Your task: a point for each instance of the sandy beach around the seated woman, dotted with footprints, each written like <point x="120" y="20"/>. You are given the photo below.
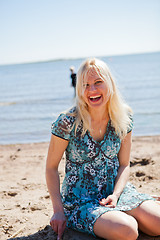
<point x="25" y="203"/>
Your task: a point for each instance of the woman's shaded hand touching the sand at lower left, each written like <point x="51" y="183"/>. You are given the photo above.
<point x="58" y="223"/>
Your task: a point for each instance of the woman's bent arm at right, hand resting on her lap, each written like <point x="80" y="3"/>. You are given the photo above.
<point x="123" y="172"/>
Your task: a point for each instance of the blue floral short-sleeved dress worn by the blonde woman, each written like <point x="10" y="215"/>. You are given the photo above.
<point x="90" y="172"/>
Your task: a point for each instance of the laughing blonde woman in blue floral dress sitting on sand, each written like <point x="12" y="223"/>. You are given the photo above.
<point x="96" y="137"/>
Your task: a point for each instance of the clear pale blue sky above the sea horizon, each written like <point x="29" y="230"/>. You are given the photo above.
<point x="37" y="30"/>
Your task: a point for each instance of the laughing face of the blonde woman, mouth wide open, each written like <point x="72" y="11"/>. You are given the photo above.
<point x="96" y="93"/>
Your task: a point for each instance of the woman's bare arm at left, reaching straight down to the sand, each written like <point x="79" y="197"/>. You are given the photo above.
<point x="55" y="152"/>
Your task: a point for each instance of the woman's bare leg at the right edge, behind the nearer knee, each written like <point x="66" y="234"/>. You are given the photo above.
<point x="148" y="217"/>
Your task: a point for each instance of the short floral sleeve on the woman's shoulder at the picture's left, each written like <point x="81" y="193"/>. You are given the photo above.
<point x="62" y="126"/>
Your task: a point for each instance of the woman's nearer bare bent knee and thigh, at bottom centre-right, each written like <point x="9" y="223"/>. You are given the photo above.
<point x="116" y="225"/>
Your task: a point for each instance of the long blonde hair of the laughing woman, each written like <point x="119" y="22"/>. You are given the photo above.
<point x="119" y="111"/>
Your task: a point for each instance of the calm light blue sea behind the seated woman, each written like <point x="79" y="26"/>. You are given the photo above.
<point x="33" y="94"/>
